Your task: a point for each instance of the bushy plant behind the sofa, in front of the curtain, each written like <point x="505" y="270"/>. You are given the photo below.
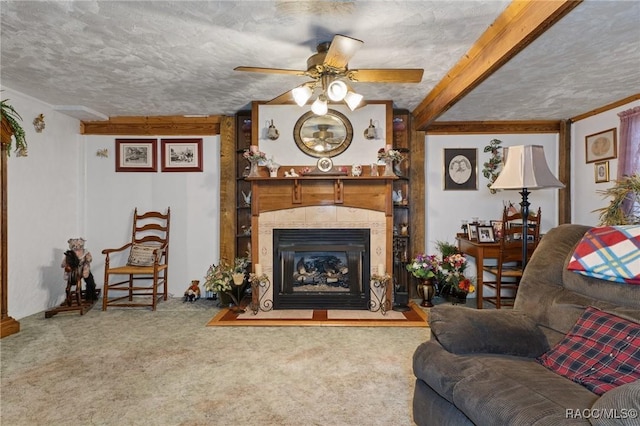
<point x="623" y="208"/>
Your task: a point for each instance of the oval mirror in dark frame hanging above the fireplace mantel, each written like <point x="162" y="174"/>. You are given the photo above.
<point x="323" y="135"/>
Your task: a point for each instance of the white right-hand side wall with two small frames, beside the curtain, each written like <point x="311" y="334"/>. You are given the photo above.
<point x="585" y="197"/>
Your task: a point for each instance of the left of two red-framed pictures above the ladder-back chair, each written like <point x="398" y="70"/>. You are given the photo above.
<point x="136" y="155"/>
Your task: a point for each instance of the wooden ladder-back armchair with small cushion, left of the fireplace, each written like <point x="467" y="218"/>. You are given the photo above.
<point x="147" y="268"/>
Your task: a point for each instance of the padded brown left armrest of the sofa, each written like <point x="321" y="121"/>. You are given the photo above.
<point x="466" y="331"/>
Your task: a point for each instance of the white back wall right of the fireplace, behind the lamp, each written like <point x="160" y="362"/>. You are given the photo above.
<point x="445" y="210"/>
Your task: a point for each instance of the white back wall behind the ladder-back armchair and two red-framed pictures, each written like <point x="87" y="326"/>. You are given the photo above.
<point x="110" y="199"/>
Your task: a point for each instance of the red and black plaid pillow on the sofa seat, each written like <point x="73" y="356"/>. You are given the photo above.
<point x="601" y="352"/>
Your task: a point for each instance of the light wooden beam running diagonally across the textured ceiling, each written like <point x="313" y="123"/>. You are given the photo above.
<point x="518" y="25"/>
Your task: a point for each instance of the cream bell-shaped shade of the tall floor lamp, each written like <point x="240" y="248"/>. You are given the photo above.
<point x="526" y="167"/>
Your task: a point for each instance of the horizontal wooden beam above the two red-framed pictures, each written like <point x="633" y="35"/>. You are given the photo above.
<point x="168" y="125"/>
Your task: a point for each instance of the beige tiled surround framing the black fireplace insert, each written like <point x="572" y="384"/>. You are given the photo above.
<point x="326" y="217"/>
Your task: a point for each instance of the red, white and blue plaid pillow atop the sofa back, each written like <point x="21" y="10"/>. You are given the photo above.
<point x="610" y="253"/>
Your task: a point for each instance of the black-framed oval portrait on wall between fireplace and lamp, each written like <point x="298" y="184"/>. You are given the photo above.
<point x="460" y="169"/>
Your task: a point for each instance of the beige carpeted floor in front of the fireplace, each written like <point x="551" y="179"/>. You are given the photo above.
<point x="137" y="367"/>
